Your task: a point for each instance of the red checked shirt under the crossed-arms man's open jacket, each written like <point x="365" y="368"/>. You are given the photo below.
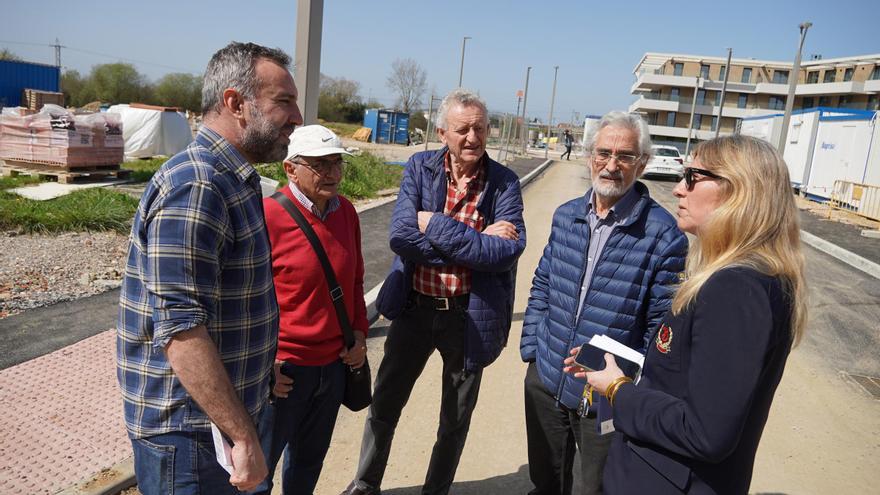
<point x="454" y="280"/>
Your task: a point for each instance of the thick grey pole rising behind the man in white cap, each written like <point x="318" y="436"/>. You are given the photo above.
<point x="309" y="22"/>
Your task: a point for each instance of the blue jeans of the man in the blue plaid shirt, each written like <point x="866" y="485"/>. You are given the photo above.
<point x="179" y="463"/>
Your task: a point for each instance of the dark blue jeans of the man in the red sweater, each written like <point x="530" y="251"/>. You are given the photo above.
<point x="301" y="426"/>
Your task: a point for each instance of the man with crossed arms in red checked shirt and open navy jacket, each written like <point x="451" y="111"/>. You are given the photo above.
<point x="458" y="231"/>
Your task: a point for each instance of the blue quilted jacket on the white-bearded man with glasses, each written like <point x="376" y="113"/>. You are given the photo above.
<point x="631" y="290"/>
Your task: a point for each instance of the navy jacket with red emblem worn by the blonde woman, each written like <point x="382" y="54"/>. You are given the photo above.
<point x="693" y="422"/>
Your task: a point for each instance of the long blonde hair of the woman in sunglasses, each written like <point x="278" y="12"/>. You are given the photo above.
<point x="756" y="225"/>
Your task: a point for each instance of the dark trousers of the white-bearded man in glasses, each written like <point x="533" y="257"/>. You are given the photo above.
<point x="553" y="433"/>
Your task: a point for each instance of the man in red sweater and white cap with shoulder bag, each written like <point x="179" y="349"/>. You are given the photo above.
<point x="311" y="360"/>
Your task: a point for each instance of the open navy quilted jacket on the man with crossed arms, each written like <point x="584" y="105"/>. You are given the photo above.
<point x="447" y="241"/>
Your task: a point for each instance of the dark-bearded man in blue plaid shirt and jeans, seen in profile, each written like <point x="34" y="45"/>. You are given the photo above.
<point x="198" y="319"/>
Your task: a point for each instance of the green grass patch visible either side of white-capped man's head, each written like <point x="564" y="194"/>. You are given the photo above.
<point x="365" y="175"/>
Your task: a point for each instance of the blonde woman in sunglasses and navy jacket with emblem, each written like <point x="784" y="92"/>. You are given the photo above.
<point x="693" y="422"/>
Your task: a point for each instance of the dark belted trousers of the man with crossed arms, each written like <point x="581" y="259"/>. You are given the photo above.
<point x="412" y="338"/>
